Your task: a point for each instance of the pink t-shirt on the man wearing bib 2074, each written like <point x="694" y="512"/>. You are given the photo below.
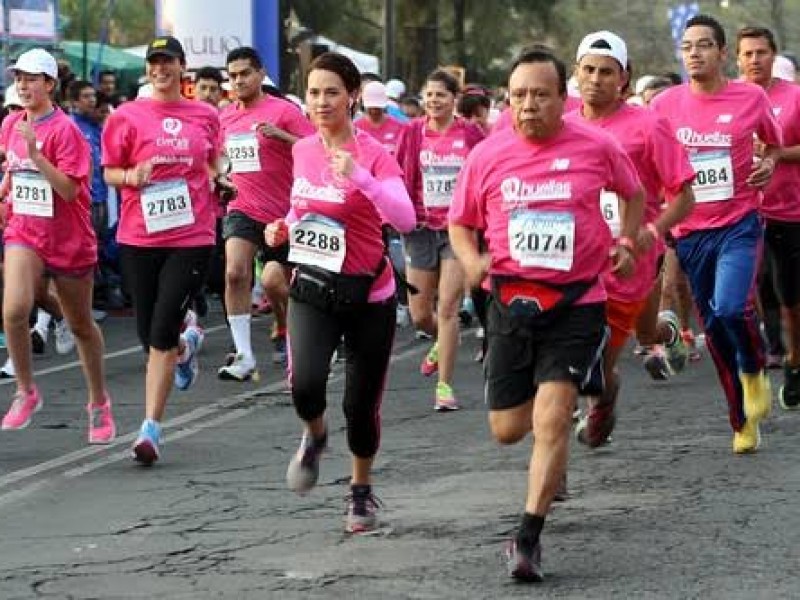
<point x="539" y="203"/>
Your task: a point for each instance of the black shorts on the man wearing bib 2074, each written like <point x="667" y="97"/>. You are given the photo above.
<point x="520" y="356"/>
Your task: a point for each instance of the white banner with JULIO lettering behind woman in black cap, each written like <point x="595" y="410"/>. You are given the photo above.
<point x="208" y="29"/>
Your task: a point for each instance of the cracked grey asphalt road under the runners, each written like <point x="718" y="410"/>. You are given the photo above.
<point x="665" y="511"/>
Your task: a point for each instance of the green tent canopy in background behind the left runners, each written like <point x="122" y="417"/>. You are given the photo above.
<point x="127" y="66"/>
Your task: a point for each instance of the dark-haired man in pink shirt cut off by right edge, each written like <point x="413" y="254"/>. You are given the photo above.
<point x="756" y="51"/>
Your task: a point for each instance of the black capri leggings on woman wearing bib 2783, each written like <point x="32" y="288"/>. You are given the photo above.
<point x="162" y="283"/>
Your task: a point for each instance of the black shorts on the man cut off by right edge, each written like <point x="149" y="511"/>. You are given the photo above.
<point x="783" y="240"/>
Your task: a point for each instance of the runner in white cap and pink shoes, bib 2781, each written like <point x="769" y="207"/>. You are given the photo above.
<point x="49" y="234"/>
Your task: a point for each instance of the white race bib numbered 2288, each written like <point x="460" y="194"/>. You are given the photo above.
<point x="318" y="241"/>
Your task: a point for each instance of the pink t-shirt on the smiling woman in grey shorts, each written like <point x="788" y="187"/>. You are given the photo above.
<point x="440" y="158"/>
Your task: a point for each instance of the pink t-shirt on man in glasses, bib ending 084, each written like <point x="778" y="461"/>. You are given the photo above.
<point x="717" y="131"/>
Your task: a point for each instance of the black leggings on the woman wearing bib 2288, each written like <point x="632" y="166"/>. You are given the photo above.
<point x="368" y="336"/>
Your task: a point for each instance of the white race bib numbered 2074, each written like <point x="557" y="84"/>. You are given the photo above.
<point x="542" y="239"/>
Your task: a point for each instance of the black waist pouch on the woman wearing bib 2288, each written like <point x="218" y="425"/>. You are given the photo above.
<point x="328" y="291"/>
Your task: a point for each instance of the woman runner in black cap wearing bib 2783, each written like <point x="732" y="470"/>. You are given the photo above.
<point x="160" y="151"/>
